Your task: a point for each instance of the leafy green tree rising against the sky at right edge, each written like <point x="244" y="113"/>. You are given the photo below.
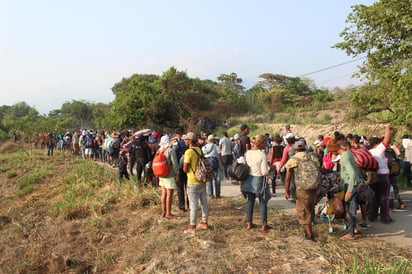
<point x="382" y="31"/>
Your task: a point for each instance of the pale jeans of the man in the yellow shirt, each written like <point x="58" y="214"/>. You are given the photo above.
<point x="196" y="193"/>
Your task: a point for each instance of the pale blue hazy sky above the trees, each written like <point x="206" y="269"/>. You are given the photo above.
<point x="53" y="51"/>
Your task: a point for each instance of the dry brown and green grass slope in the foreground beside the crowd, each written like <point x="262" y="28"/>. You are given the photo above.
<point x="116" y="228"/>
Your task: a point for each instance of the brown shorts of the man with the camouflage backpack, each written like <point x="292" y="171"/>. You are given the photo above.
<point x="305" y="206"/>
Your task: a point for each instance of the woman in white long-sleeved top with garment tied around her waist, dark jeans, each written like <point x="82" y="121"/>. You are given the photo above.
<point x="255" y="185"/>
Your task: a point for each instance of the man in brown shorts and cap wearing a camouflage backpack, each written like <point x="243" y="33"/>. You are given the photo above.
<point x="307" y="178"/>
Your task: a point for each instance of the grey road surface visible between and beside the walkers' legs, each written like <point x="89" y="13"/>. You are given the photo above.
<point x="399" y="232"/>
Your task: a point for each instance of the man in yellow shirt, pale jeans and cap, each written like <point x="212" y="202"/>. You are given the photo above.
<point x="196" y="190"/>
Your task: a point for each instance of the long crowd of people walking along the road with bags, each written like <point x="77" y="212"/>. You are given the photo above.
<point x="269" y="158"/>
